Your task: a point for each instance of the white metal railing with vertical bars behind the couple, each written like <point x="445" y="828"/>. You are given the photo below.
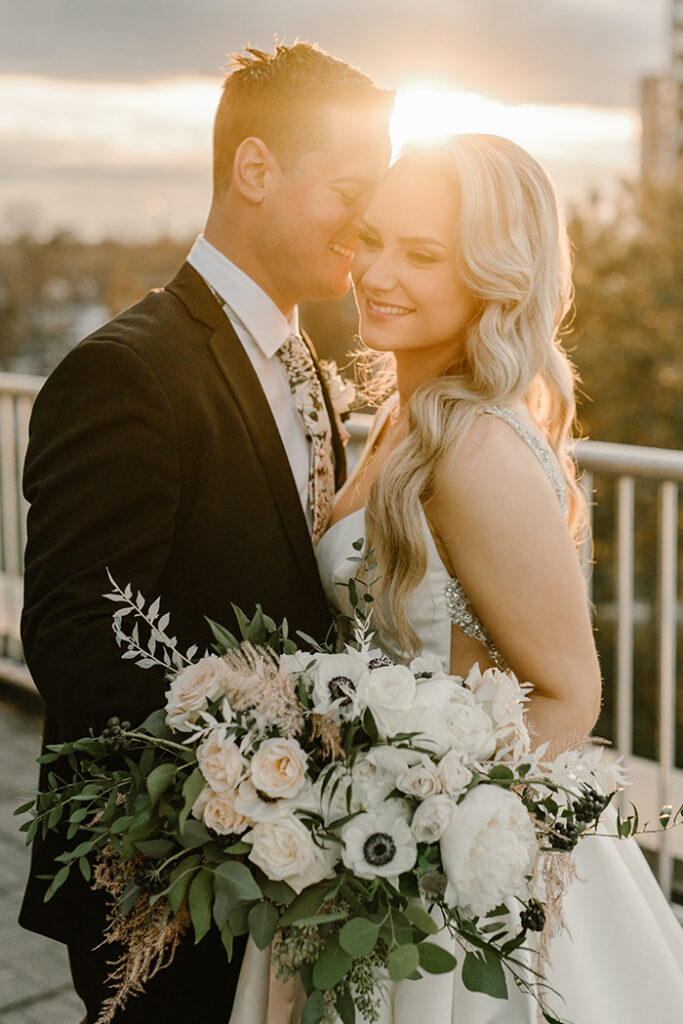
<point x="655" y="784"/>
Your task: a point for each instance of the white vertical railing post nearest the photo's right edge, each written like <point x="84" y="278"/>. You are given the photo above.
<point x="667" y="615"/>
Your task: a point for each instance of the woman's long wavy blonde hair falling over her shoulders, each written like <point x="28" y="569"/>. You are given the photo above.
<point x="514" y="257"/>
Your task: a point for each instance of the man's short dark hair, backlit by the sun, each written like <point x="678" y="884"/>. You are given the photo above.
<point x="278" y="98"/>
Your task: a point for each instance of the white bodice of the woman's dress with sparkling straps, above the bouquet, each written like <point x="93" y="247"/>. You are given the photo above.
<point x="440" y="600"/>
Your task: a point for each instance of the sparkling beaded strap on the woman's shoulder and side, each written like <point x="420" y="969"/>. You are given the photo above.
<point x="461" y="612"/>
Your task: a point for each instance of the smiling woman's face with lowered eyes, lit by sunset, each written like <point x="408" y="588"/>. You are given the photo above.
<point x="408" y="288"/>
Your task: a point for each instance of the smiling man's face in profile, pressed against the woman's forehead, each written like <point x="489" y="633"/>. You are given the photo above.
<point x="315" y="205"/>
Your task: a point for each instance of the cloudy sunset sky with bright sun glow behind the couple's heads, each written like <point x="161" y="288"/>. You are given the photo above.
<point x="106" y="106"/>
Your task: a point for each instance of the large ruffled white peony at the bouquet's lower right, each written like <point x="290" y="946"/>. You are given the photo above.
<point x="488" y="850"/>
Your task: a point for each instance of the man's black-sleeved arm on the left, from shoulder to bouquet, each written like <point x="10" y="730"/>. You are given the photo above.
<point x="103" y="480"/>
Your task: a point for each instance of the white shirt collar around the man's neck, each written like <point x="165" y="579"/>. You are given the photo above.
<point x="247" y="301"/>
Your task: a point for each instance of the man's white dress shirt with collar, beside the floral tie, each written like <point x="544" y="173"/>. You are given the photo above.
<point x="263" y="329"/>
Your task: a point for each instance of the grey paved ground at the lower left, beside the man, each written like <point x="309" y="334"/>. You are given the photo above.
<point x="35" y="984"/>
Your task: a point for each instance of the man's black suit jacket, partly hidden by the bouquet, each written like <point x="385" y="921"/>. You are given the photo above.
<point x="153" y="452"/>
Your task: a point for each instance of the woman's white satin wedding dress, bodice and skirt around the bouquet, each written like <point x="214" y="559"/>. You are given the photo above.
<point x="620" y="961"/>
